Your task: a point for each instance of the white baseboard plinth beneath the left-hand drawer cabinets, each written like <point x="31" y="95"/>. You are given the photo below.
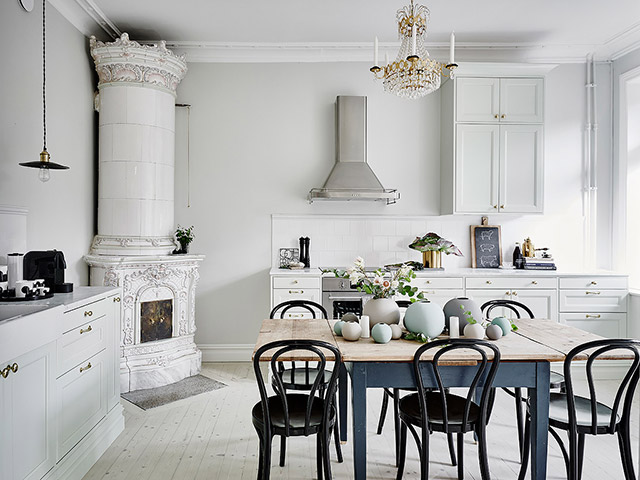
<point x="75" y="464"/>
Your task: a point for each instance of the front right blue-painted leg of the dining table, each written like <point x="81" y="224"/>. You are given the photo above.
<point x="540" y="422"/>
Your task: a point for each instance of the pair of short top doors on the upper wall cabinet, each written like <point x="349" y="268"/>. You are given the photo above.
<point x="499" y="100"/>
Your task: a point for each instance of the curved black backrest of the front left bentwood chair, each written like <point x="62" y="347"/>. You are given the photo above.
<point x="312" y="350"/>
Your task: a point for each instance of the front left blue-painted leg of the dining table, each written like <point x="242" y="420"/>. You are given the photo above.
<point x="359" y="413"/>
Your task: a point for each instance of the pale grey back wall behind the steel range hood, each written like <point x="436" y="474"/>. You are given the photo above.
<point x="262" y="135"/>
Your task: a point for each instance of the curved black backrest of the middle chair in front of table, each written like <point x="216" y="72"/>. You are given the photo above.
<point x="485" y="372"/>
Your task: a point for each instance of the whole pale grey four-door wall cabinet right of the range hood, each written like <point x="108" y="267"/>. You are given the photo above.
<point x="492" y="145"/>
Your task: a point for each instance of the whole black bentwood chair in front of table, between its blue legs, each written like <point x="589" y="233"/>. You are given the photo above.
<point x="441" y="411"/>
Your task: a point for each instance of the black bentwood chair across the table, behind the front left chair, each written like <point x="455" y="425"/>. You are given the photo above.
<point x="302" y="378"/>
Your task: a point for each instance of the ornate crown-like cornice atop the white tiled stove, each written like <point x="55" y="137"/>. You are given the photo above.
<point x="126" y="61"/>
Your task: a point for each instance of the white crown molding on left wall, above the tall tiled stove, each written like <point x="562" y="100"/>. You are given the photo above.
<point x="87" y="17"/>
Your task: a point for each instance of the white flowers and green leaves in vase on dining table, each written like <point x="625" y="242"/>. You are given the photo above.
<point x="382" y="283"/>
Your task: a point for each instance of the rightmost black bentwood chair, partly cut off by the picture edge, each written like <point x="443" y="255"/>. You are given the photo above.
<point x="585" y="415"/>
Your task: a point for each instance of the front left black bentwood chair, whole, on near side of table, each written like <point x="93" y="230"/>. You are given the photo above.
<point x="296" y="414"/>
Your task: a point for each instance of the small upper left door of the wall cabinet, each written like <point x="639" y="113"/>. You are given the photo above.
<point x="477" y="100"/>
